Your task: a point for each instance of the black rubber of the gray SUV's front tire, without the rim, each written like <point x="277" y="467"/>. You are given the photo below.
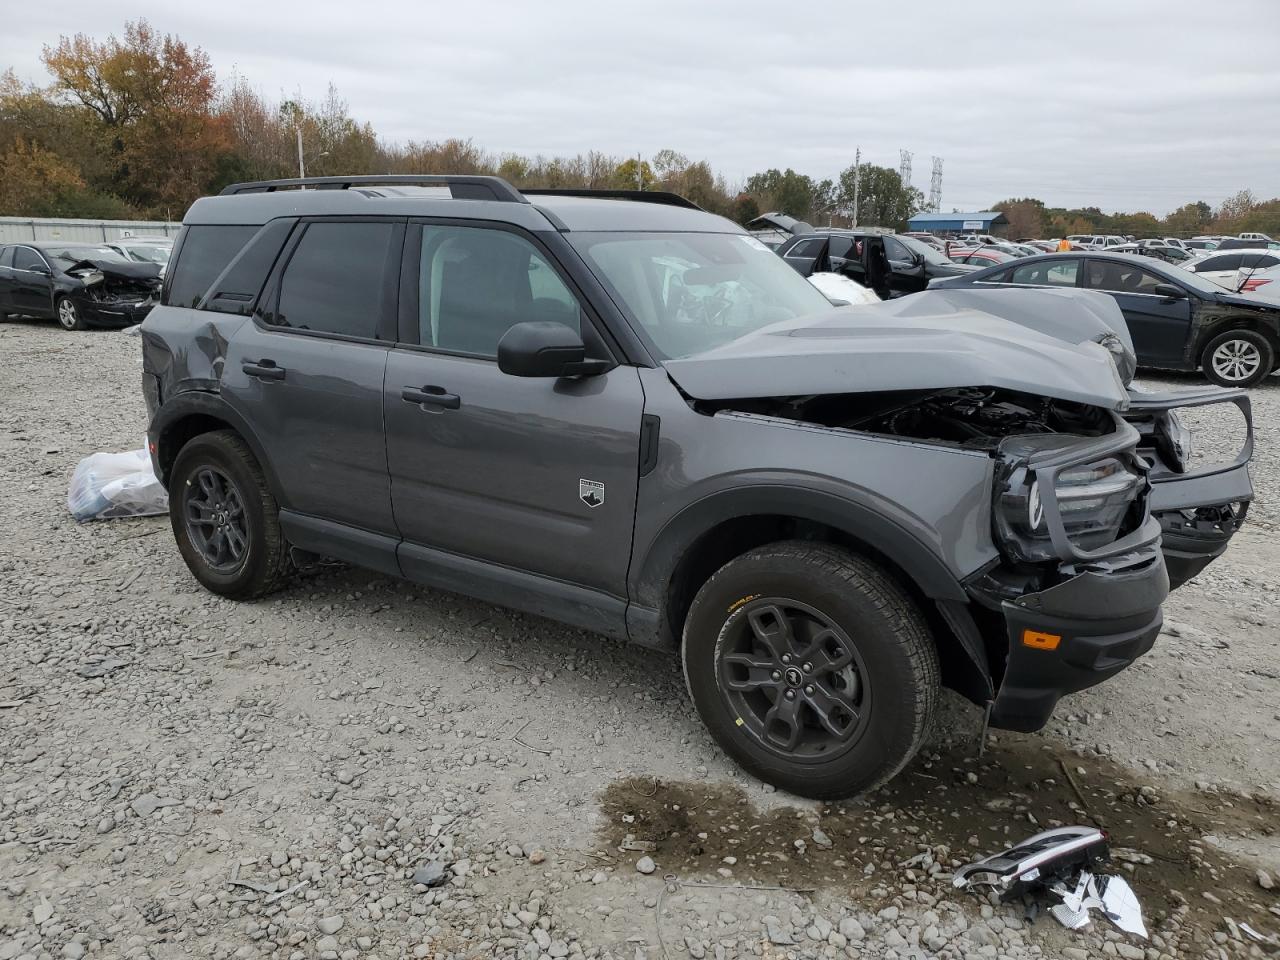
<point x="895" y="697"/>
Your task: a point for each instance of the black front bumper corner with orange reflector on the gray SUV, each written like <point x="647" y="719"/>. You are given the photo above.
<point x="1105" y="623"/>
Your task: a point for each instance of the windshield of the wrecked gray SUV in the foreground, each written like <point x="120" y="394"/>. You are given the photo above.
<point x="693" y="292"/>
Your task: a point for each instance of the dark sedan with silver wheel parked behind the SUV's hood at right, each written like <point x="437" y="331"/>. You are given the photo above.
<point x="1178" y="321"/>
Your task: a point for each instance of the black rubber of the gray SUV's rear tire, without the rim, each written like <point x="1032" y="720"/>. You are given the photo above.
<point x="211" y="451"/>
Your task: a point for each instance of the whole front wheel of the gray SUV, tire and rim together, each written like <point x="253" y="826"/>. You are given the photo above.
<point x="886" y="693"/>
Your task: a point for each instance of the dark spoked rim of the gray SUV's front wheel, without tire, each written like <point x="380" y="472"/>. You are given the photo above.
<point x="794" y="680"/>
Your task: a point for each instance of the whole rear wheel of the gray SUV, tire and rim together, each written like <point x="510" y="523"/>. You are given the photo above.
<point x="218" y="499"/>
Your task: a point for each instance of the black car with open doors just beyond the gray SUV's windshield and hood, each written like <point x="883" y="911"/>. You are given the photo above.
<point x="890" y="264"/>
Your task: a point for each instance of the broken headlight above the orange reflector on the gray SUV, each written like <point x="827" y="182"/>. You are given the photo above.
<point x="1094" y="502"/>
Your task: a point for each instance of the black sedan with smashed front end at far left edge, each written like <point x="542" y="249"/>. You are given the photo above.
<point x="79" y="285"/>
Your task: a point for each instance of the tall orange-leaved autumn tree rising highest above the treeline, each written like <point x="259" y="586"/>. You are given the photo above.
<point x="150" y="100"/>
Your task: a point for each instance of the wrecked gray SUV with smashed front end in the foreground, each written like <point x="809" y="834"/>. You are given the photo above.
<point x="629" y="415"/>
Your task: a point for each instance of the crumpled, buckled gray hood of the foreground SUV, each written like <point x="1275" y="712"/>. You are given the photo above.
<point x="916" y="344"/>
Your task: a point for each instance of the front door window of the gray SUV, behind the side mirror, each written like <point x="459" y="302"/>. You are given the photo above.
<point x="476" y="284"/>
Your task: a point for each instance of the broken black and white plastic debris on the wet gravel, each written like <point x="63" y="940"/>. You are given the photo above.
<point x="1064" y="866"/>
